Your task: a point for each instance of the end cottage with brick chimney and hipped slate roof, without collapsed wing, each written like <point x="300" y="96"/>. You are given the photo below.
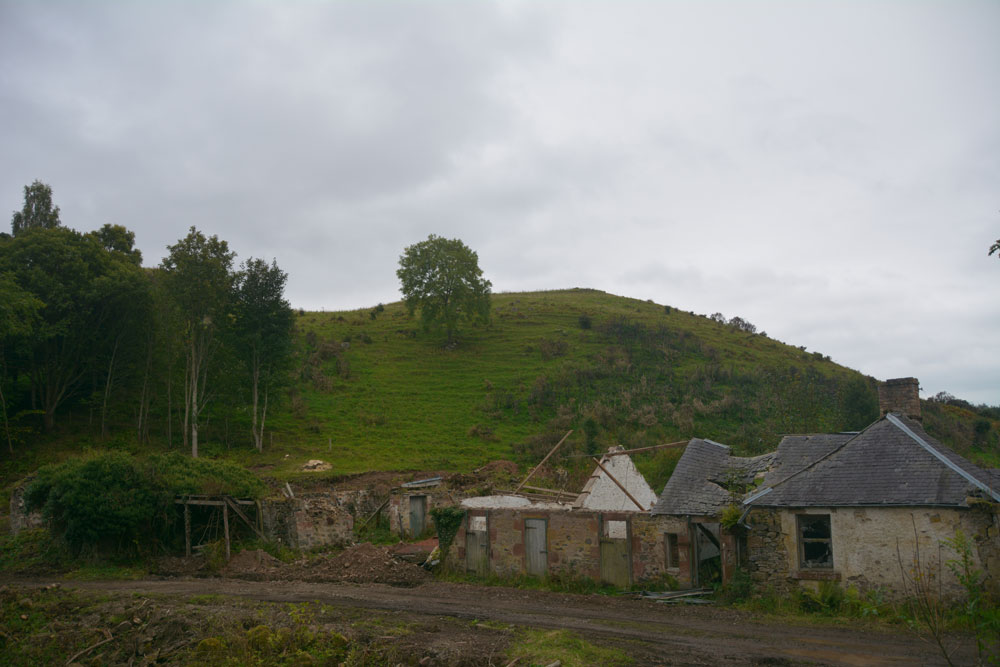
<point x="873" y="508"/>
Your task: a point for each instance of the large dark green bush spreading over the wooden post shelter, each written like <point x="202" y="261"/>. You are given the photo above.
<point x="118" y="503"/>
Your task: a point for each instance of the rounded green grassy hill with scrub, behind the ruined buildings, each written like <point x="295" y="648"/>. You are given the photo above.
<point x="374" y="392"/>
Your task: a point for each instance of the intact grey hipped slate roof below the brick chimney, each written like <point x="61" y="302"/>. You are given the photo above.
<point x="893" y="462"/>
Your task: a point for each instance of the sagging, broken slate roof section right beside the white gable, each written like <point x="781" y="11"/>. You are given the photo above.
<point x="696" y="486"/>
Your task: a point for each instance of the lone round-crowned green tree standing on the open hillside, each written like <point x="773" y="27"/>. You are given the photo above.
<point x="441" y="277"/>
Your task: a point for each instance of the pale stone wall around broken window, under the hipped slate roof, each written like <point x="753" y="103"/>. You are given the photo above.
<point x="865" y="543"/>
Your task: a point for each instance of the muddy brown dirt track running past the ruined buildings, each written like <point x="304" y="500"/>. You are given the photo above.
<point x="653" y="633"/>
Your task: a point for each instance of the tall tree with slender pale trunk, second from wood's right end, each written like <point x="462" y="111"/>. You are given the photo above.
<point x="199" y="280"/>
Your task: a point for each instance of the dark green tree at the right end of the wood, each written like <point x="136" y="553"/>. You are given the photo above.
<point x="263" y="325"/>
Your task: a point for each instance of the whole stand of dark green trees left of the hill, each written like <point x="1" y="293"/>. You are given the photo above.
<point x="84" y="325"/>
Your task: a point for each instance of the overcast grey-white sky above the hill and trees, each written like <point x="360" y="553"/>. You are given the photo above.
<point x="827" y="171"/>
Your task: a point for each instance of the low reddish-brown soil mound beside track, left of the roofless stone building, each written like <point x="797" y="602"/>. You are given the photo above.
<point x="363" y="563"/>
